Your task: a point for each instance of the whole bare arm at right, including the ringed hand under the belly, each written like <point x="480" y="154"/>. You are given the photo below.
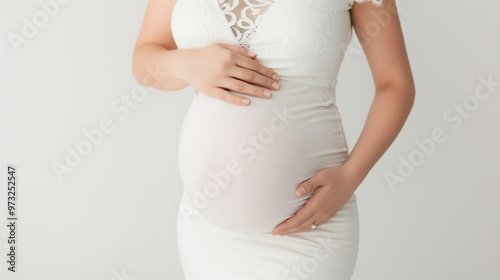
<point x="394" y="96"/>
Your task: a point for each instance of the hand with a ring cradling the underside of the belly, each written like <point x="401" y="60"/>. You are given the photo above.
<point x="332" y="186"/>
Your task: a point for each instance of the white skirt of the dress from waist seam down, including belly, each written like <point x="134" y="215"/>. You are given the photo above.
<point x="240" y="166"/>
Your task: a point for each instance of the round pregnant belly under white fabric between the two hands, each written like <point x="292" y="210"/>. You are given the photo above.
<point x="240" y="165"/>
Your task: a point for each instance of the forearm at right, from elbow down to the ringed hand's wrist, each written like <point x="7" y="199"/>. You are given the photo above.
<point x="388" y="113"/>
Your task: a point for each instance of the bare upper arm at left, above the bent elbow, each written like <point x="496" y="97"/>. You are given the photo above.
<point x="156" y="27"/>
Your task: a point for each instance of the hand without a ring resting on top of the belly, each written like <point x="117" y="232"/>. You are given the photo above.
<point x="220" y="66"/>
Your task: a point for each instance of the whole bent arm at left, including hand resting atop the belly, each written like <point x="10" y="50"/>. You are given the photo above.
<point x="210" y="70"/>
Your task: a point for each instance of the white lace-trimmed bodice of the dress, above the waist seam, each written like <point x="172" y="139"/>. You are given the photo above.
<point x="302" y="40"/>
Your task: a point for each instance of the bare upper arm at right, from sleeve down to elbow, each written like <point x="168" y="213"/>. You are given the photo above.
<point x="379" y="32"/>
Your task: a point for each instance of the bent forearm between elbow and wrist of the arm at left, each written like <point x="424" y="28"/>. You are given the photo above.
<point x="158" y="67"/>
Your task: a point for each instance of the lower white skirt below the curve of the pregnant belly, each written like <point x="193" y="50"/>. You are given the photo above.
<point x="209" y="252"/>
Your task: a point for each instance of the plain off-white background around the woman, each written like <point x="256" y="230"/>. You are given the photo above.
<point x="114" y="216"/>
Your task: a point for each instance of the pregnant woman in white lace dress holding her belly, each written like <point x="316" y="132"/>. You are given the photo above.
<point x="268" y="180"/>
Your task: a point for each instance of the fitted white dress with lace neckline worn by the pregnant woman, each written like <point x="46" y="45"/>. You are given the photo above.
<point x="240" y="165"/>
